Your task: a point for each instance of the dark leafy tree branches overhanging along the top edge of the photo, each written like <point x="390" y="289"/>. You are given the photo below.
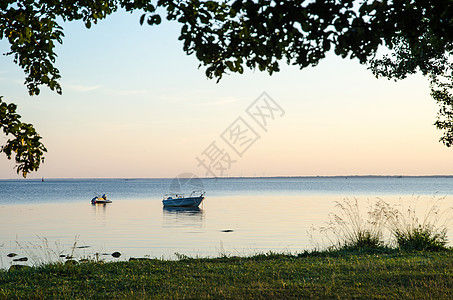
<point x="229" y="36"/>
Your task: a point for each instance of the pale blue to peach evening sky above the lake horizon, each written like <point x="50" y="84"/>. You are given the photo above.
<point x="134" y="105"/>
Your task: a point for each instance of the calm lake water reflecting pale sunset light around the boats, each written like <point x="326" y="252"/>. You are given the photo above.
<point x="240" y="216"/>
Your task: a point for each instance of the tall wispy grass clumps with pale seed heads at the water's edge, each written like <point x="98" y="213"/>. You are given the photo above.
<point x="353" y="228"/>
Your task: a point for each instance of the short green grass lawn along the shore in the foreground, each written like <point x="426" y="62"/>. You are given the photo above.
<point x="323" y="275"/>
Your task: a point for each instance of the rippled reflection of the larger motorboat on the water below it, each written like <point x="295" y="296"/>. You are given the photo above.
<point x="183" y="217"/>
